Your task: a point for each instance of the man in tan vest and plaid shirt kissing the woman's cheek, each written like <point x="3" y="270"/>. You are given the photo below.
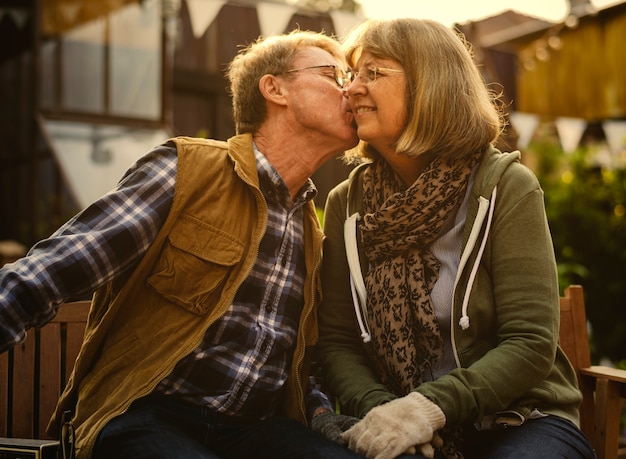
<point x="204" y="261"/>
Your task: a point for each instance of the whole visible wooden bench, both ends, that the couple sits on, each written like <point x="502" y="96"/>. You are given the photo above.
<point x="33" y="374"/>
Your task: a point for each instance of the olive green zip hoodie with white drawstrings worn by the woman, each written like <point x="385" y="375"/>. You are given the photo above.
<point x="504" y="325"/>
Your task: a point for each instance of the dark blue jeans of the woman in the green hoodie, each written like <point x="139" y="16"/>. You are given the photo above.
<point x="544" y="438"/>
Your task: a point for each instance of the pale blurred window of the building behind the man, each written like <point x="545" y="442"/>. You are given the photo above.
<point x="102" y="58"/>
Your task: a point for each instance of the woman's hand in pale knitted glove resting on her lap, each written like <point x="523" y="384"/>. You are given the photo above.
<point x="403" y="425"/>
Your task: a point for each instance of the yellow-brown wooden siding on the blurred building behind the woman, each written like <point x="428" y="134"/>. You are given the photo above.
<point x="585" y="78"/>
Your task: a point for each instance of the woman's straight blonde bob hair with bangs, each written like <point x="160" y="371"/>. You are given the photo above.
<point x="450" y="109"/>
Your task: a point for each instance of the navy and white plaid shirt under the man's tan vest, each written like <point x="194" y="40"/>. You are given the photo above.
<point x="242" y="362"/>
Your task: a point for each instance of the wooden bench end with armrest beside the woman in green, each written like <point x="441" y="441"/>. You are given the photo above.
<point x="603" y="388"/>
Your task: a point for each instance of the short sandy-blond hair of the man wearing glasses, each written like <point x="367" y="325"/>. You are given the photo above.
<point x="272" y="55"/>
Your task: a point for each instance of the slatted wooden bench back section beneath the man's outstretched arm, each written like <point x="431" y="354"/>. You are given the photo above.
<point x="34" y="373"/>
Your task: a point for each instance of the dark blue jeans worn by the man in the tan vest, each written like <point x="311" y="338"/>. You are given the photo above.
<point x="158" y="427"/>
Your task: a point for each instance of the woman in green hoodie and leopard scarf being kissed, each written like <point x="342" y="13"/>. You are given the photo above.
<point x="439" y="321"/>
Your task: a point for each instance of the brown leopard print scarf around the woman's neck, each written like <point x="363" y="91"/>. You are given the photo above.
<point x="397" y="229"/>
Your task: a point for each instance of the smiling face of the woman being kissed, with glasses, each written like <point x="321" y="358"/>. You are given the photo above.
<point x="378" y="101"/>
